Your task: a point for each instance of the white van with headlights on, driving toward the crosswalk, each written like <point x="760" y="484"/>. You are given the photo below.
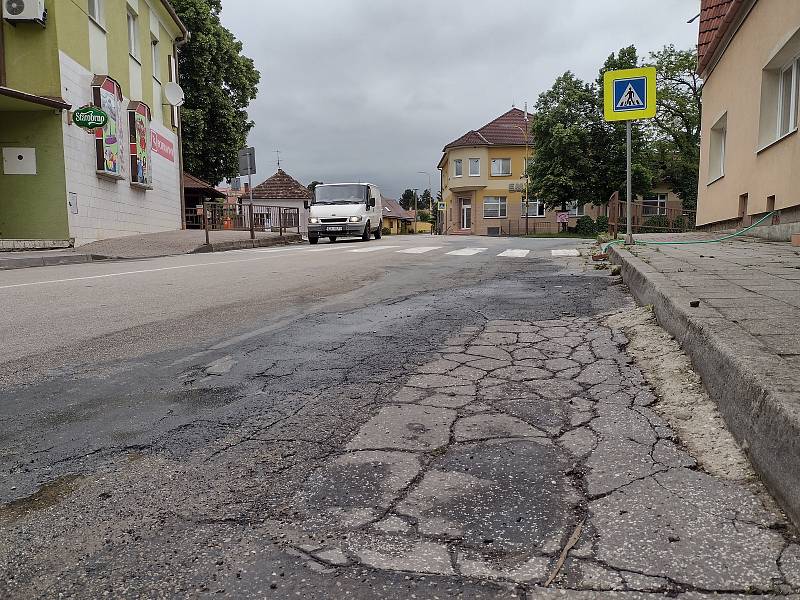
<point x="345" y="210"/>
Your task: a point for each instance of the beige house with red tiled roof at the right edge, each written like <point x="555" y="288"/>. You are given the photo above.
<point x="749" y="57"/>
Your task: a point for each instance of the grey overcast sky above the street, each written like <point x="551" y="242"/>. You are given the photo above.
<point x="371" y="90"/>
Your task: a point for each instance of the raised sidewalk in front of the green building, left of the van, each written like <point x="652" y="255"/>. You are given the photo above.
<point x="151" y="245"/>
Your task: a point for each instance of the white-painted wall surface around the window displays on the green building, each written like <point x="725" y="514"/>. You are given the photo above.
<point x="109" y="208"/>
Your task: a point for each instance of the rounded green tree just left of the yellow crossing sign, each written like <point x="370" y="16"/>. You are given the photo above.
<point x="565" y="127"/>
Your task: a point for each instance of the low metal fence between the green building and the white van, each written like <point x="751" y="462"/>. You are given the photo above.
<point x="215" y="216"/>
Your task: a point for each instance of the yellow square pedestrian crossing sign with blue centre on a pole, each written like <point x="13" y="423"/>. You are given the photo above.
<point x="629" y="94"/>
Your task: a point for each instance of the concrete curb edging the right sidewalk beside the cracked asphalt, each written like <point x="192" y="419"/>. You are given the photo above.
<point x="754" y="389"/>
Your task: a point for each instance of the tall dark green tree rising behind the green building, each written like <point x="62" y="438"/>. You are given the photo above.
<point x="219" y="82"/>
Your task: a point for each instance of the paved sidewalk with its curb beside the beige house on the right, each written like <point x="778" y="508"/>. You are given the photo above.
<point x="735" y="308"/>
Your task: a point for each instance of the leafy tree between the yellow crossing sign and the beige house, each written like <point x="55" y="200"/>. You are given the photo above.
<point x="676" y="127"/>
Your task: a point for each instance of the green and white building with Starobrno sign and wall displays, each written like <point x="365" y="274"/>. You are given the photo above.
<point x="61" y="184"/>
